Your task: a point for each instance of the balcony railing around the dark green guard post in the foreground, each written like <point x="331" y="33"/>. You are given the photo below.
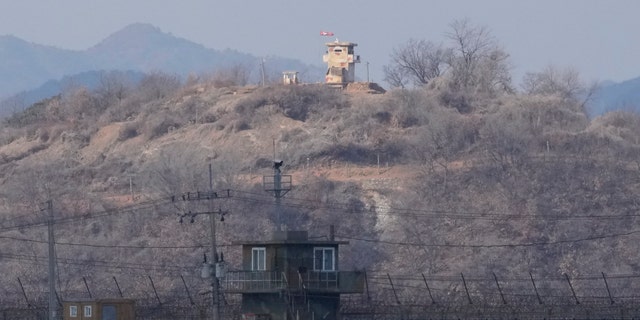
<point x="319" y="281"/>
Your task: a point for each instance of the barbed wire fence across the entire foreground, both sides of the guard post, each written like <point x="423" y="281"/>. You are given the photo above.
<point x="385" y="296"/>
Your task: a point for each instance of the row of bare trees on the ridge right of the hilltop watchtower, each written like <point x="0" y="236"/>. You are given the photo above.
<point x="471" y="62"/>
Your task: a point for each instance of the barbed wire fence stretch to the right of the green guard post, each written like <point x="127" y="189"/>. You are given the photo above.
<point x="494" y="297"/>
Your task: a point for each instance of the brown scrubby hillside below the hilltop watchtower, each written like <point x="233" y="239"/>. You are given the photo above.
<point x="514" y="183"/>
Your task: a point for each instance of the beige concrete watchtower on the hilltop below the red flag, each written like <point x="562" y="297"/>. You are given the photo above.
<point x="341" y="63"/>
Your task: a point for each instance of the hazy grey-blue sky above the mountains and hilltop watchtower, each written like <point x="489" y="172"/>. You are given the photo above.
<point x="599" y="38"/>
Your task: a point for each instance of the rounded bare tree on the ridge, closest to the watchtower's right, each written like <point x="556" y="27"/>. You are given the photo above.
<point x="417" y="60"/>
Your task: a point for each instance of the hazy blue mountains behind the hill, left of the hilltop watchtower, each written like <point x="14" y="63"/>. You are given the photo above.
<point x="136" y="48"/>
